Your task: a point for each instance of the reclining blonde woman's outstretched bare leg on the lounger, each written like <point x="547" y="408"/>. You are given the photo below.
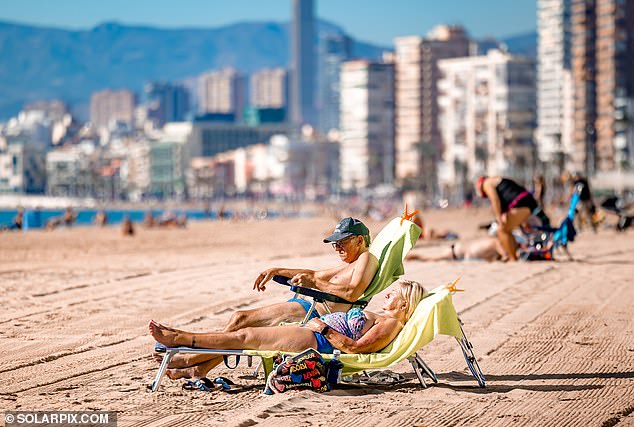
<point x="284" y="338"/>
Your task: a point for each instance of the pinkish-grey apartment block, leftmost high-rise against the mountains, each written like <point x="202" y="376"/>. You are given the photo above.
<point x="112" y="106"/>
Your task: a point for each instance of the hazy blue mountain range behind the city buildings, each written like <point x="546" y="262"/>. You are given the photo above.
<point x="45" y="63"/>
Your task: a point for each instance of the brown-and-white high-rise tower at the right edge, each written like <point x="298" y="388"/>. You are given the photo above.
<point x="603" y="74"/>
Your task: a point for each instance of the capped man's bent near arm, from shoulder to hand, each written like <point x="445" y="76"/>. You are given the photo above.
<point x="365" y="267"/>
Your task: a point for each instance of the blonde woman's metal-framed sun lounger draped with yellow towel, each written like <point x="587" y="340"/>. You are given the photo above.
<point x="434" y="315"/>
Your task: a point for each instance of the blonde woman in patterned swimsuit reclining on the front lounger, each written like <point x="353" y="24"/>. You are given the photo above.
<point x="353" y="332"/>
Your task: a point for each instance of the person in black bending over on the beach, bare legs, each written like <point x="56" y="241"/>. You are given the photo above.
<point x="512" y="205"/>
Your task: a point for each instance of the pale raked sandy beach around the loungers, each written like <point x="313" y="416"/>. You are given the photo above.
<point x="555" y="339"/>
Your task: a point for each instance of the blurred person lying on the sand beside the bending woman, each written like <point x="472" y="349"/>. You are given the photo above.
<point x="485" y="249"/>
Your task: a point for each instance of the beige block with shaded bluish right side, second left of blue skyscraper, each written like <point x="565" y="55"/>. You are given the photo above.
<point x="222" y="91"/>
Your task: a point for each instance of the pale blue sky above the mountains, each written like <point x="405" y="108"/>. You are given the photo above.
<point x="377" y="21"/>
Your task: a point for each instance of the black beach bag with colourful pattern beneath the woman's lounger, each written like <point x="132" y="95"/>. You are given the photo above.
<point x="305" y="371"/>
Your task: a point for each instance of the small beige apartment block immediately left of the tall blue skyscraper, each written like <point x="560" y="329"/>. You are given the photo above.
<point x="269" y="88"/>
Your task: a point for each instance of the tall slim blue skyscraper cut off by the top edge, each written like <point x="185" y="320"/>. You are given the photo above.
<point x="303" y="76"/>
